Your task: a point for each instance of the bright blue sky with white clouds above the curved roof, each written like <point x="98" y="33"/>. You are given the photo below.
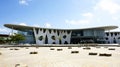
<point x="59" y="13"/>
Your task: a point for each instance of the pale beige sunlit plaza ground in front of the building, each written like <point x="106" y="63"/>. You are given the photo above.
<point x="59" y="57"/>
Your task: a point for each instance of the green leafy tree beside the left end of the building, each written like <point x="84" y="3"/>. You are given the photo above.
<point x="16" y="38"/>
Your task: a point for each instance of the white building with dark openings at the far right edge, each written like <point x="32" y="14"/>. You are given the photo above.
<point x="112" y="37"/>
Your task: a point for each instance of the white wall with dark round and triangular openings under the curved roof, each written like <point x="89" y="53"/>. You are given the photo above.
<point x="49" y="36"/>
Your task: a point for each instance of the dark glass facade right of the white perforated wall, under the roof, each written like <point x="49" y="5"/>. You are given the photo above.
<point x="87" y="36"/>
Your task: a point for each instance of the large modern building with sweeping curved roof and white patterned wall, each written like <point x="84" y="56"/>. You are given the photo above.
<point x="38" y="35"/>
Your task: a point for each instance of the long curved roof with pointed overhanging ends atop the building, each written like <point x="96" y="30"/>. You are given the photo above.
<point x="24" y="28"/>
